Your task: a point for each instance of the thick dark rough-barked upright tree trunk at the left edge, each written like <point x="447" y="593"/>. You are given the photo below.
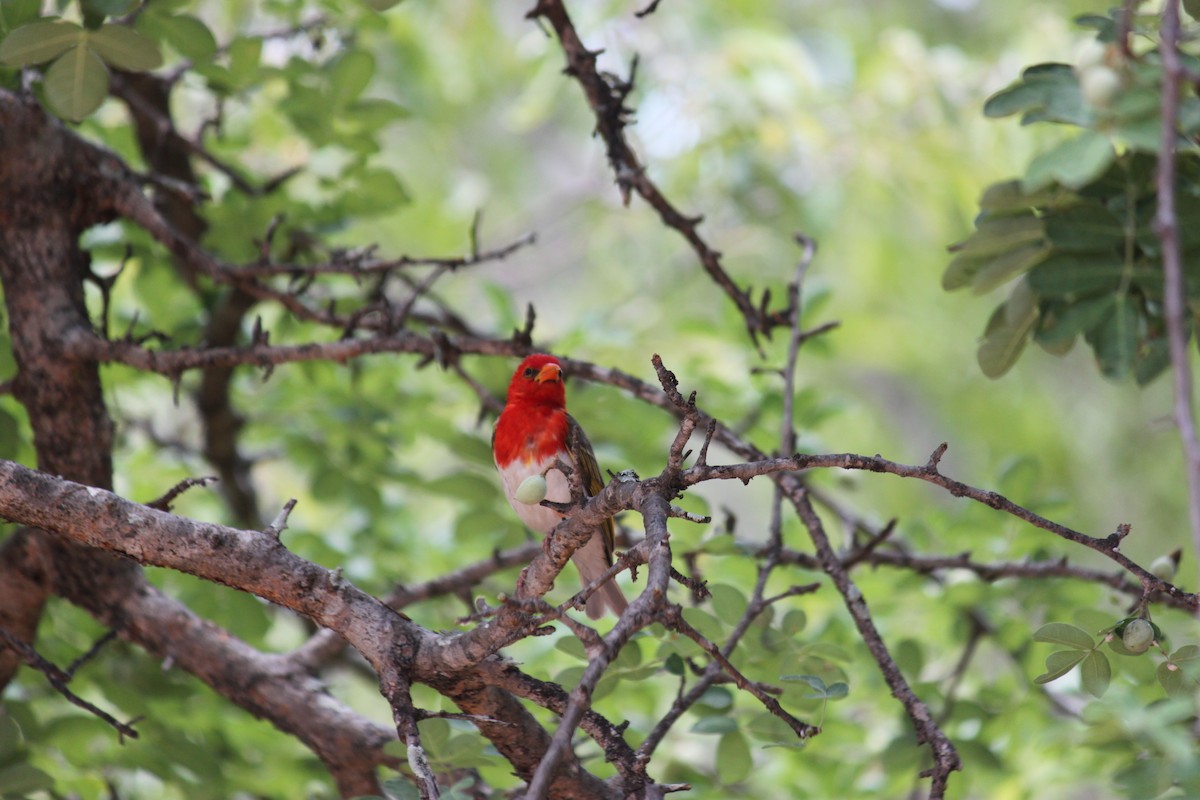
<point x="44" y="208"/>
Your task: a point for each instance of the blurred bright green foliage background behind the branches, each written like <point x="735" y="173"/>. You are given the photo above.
<point x="859" y="124"/>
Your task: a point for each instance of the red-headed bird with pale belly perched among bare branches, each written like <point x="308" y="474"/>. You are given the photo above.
<point x="532" y="434"/>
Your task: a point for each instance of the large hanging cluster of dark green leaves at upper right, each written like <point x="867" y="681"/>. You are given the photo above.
<point x="1076" y="237"/>
